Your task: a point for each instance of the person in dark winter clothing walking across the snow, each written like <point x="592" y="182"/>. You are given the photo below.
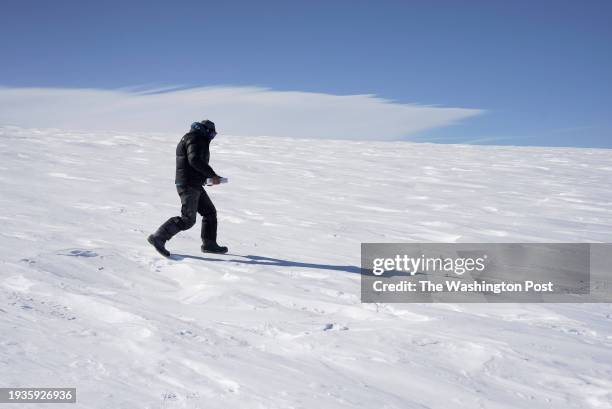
<point x="192" y="170"/>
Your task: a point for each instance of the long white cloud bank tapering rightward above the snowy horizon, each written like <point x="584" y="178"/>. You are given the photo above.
<point x="235" y="110"/>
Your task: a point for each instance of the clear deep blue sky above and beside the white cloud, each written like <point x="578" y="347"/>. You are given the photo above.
<point x="540" y="71"/>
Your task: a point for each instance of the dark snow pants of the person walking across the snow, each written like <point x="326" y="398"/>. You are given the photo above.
<point x="193" y="200"/>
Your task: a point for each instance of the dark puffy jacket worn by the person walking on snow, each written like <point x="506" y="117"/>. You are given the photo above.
<point x="192" y="155"/>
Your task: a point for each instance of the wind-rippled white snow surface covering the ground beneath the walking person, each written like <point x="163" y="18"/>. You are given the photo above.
<point x="86" y="302"/>
